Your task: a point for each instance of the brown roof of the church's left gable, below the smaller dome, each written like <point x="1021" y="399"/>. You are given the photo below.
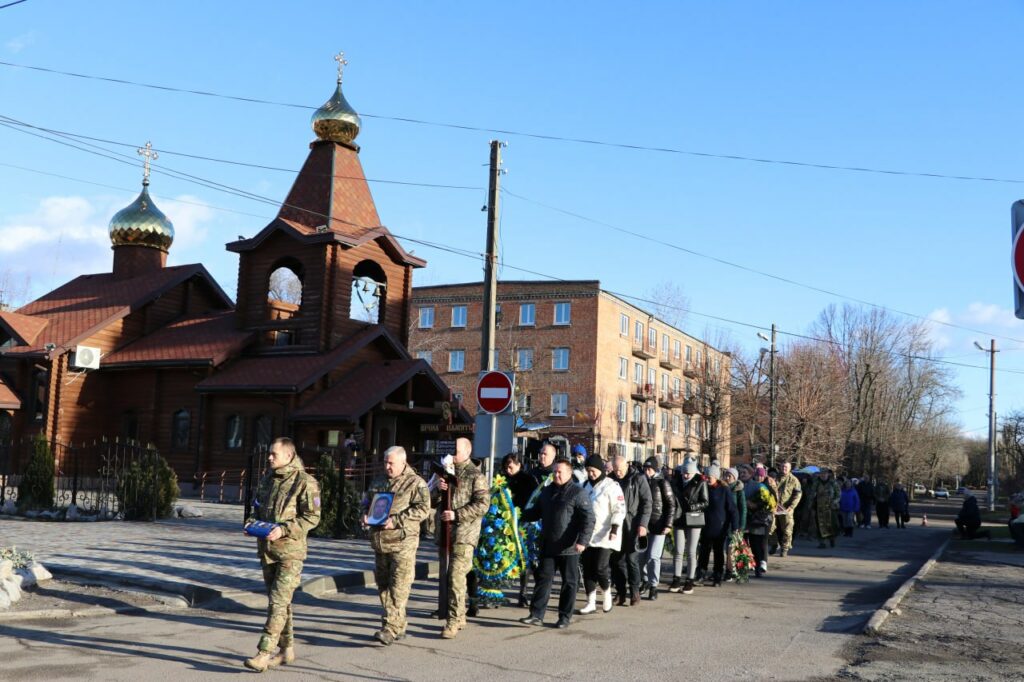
<point x="88" y="304"/>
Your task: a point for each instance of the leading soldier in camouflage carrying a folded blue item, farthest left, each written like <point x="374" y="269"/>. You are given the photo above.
<point x="289" y="497"/>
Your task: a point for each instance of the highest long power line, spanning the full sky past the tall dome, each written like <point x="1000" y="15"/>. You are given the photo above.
<point x="533" y="136"/>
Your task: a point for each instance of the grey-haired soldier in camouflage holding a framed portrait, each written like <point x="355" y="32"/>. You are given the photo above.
<point x="396" y="543"/>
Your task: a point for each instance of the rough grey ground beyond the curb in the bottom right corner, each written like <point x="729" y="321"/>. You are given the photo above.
<point x="964" y="621"/>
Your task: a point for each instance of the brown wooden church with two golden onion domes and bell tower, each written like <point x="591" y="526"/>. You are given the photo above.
<point x="315" y="348"/>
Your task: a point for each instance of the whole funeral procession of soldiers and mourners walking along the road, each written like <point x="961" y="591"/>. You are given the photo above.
<point x="607" y="525"/>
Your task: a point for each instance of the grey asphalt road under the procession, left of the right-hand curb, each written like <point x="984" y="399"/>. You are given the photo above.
<point x="794" y="625"/>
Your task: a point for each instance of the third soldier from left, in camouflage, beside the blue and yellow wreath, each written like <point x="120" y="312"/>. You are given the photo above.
<point x="471" y="500"/>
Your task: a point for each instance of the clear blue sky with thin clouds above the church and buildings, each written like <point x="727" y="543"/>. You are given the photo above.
<point x="916" y="87"/>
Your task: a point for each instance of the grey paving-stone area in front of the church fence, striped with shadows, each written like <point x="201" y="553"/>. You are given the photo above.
<point x="201" y="559"/>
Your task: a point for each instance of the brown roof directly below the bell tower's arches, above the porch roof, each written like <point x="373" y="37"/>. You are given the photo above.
<point x="290" y="374"/>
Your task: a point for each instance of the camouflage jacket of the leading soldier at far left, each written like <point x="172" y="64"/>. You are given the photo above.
<point x="289" y="497"/>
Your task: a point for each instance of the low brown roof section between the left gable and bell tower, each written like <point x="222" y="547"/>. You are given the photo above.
<point x="205" y="340"/>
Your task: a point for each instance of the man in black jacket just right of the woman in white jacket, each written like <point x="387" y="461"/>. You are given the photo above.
<point x="626" y="563"/>
